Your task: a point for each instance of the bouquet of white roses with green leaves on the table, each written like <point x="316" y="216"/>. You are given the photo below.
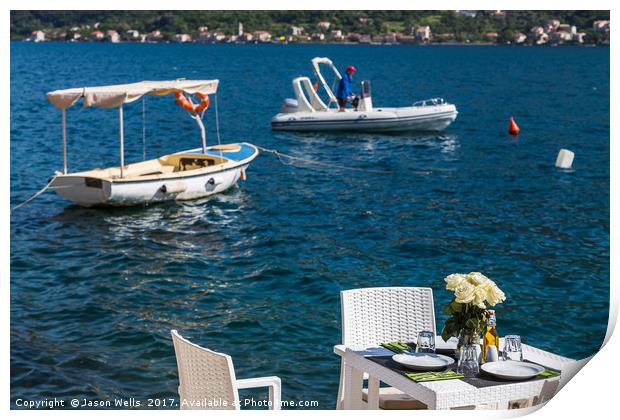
<point x="473" y="294"/>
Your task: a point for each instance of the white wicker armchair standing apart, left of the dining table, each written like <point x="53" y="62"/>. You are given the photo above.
<point x="207" y="379"/>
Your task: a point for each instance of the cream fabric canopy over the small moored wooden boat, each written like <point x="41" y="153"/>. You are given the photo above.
<point x="116" y="95"/>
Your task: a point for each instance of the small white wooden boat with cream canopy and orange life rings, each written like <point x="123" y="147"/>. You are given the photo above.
<point x="182" y="175"/>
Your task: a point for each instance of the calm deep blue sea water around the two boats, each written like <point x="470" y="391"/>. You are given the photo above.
<point x="256" y="272"/>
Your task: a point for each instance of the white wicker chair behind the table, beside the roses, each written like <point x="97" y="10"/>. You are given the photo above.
<point x="378" y="315"/>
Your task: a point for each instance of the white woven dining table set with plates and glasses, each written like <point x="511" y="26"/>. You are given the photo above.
<point x="439" y="395"/>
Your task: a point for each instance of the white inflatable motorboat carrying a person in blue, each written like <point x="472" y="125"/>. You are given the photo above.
<point x="308" y="112"/>
